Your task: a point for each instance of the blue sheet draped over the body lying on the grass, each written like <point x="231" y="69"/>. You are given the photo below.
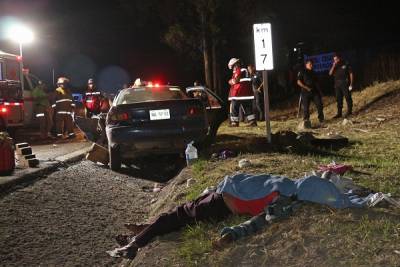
<point x="311" y="188"/>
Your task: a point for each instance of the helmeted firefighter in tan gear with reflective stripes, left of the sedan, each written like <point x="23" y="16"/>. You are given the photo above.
<point x="64" y="107"/>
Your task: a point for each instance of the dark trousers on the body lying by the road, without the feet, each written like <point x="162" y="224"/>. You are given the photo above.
<point x="207" y="207"/>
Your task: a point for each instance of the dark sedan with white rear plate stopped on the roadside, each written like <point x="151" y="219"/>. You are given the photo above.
<point x="155" y="120"/>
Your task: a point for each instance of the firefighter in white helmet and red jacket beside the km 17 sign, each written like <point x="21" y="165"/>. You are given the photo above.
<point x="240" y="94"/>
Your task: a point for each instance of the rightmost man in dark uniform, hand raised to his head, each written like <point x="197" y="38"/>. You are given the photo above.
<point x="343" y="82"/>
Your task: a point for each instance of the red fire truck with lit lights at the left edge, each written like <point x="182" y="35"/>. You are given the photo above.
<point x="16" y="103"/>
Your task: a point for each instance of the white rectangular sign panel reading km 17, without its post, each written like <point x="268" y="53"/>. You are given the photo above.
<point x="263" y="46"/>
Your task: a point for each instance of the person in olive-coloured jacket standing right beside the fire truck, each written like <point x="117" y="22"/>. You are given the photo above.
<point x="42" y="109"/>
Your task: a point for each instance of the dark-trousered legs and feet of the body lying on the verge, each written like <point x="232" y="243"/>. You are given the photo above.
<point x="206" y="207"/>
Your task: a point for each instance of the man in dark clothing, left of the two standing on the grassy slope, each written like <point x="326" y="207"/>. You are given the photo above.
<point x="307" y="81"/>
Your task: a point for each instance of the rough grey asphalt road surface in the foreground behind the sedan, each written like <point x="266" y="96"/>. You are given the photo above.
<point x="70" y="218"/>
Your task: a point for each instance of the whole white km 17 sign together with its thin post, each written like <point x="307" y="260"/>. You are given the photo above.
<point x="264" y="62"/>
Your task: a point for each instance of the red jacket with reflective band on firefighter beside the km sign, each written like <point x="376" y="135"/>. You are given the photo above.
<point x="240" y="85"/>
